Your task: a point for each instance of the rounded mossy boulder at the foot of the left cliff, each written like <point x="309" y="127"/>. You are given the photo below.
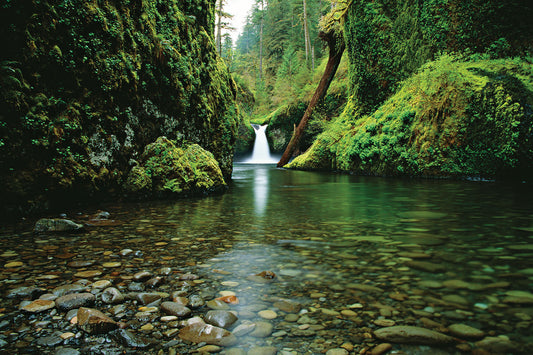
<point x="169" y="169"/>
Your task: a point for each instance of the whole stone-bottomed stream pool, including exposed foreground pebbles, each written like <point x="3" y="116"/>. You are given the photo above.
<point x="253" y="273"/>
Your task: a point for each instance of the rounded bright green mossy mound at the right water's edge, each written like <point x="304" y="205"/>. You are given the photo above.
<point x="455" y="118"/>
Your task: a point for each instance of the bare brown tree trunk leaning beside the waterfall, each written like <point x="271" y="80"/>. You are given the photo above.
<point x="336" y="46"/>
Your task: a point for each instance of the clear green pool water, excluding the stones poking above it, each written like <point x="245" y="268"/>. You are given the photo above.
<point x="350" y="251"/>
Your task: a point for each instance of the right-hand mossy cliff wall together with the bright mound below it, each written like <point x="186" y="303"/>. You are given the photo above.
<point x="460" y="115"/>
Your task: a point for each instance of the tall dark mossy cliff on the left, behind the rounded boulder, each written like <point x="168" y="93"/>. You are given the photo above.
<point x="87" y="85"/>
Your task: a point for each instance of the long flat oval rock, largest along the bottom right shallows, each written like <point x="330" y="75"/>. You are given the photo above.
<point x="412" y="335"/>
